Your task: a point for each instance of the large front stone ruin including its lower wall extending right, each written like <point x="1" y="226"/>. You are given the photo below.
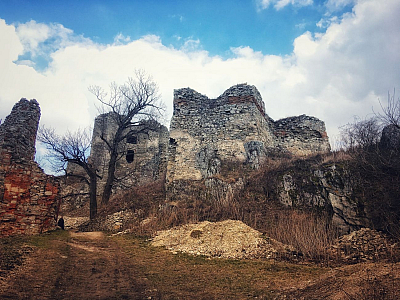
<point x="207" y="133"/>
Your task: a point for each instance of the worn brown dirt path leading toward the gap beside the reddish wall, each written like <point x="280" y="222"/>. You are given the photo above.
<point x="82" y="266"/>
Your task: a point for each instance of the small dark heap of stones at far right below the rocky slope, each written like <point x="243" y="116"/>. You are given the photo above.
<point x="364" y="245"/>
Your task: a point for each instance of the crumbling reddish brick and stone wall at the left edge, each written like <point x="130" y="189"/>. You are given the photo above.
<point x="28" y="198"/>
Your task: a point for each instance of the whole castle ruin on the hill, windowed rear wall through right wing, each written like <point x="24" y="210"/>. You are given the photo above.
<point x="204" y="135"/>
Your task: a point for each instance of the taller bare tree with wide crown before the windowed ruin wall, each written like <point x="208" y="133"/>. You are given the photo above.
<point x="129" y="104"/>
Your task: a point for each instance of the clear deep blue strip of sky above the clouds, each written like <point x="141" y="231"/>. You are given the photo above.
<point x="219" y="25"/>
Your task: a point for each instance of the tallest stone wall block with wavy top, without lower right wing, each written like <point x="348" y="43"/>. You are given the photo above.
<point x="204" y="131"/>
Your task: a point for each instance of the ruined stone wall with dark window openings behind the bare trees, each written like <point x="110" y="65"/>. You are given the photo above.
<point x="143" y="152"/>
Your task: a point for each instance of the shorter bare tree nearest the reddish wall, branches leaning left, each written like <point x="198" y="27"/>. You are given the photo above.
<point x="72" y="148"/>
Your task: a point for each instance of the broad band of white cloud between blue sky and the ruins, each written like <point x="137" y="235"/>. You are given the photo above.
<point x="332" y="75"/>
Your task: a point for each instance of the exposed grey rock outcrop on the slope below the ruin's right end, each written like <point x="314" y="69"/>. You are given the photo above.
<point x="327" y="187"/>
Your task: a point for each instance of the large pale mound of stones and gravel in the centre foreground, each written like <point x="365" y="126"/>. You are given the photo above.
<point x="227" y="239"/>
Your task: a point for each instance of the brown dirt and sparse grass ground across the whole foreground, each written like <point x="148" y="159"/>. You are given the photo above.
<point x="71" y="265"/>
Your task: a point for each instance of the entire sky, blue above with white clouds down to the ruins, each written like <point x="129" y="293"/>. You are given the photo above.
<point x="332" y="59"/>
